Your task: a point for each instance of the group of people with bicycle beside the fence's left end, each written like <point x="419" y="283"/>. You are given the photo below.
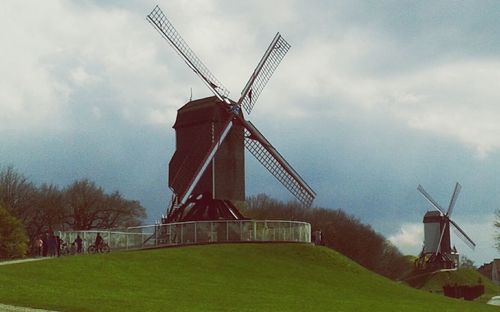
<point x="50" y="245"/>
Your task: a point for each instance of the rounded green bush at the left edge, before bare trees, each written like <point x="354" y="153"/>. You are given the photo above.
<point x="13" y="239"/>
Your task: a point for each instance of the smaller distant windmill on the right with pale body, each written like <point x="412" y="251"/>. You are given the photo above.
<point x="437" y="252"/>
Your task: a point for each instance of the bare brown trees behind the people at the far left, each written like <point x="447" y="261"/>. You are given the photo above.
<point x="82" y="205"/>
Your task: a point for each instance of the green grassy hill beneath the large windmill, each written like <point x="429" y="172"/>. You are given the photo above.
<point x="244" y="277"/>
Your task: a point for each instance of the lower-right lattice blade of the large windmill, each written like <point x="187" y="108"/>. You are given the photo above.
<point x="269" y="157"/>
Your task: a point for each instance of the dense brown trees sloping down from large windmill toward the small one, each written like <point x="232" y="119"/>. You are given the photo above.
<point x="340" y="231"/>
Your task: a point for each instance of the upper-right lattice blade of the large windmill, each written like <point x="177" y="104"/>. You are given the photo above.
<point x="263" y="72"/>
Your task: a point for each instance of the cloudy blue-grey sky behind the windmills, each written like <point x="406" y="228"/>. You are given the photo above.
<point x="373" y="99"/>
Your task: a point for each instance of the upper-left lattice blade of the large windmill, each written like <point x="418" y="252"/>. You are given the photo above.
<point x="168" y="31"/>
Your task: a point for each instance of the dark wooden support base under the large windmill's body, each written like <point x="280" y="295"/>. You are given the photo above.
<point x="204" y="208"/>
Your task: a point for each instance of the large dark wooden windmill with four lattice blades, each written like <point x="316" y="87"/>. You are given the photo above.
<point x="206" y="172"/>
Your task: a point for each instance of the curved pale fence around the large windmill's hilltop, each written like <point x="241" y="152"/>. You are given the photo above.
<point x="197" y="232"/>
